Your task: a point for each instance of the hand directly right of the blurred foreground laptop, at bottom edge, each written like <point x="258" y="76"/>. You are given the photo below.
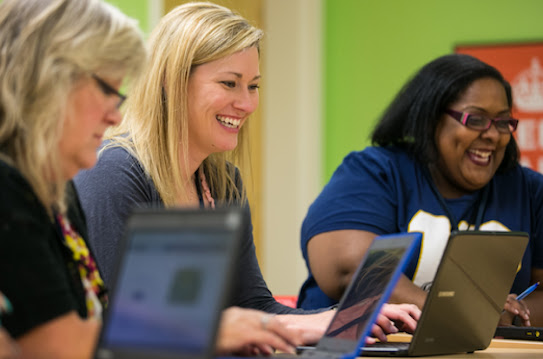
<point x="252" y="332"/>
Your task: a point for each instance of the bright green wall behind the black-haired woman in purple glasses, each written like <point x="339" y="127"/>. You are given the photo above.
<point x="372" y="47"/>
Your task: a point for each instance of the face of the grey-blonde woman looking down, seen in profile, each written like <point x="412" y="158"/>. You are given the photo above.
<point x="89" y="113"/>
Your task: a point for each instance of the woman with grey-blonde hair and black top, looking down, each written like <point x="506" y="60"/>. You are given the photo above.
<point x="62" y="63"/>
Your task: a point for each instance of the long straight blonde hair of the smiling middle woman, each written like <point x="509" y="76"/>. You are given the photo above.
<point x="155" y="128"/>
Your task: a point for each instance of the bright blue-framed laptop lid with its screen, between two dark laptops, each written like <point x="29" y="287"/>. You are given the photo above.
<point x="370" y="287"/>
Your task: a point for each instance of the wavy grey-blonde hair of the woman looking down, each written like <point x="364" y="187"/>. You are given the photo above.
<point x="46" y="47"/>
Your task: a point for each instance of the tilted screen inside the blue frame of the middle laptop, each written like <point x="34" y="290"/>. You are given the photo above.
<point x="366" y="290"/>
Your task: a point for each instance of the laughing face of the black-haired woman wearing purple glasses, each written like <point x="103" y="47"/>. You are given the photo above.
<point x="468" y="159"/>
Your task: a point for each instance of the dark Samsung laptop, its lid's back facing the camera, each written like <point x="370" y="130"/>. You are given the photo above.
<point x="467" y="296"/>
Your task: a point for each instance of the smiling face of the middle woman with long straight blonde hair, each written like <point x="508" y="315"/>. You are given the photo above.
<point x="221" y="96"/>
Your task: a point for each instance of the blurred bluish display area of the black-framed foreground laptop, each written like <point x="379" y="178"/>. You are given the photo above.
<point x="166" y="292"/>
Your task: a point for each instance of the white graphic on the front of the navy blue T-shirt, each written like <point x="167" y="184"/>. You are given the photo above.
<point x="435" y="234"/>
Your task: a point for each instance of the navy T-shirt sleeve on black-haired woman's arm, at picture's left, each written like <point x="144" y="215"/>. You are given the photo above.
<point x="362" y="194"/>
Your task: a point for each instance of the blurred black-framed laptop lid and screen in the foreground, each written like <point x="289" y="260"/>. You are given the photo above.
<point x="171" y="284"/>
